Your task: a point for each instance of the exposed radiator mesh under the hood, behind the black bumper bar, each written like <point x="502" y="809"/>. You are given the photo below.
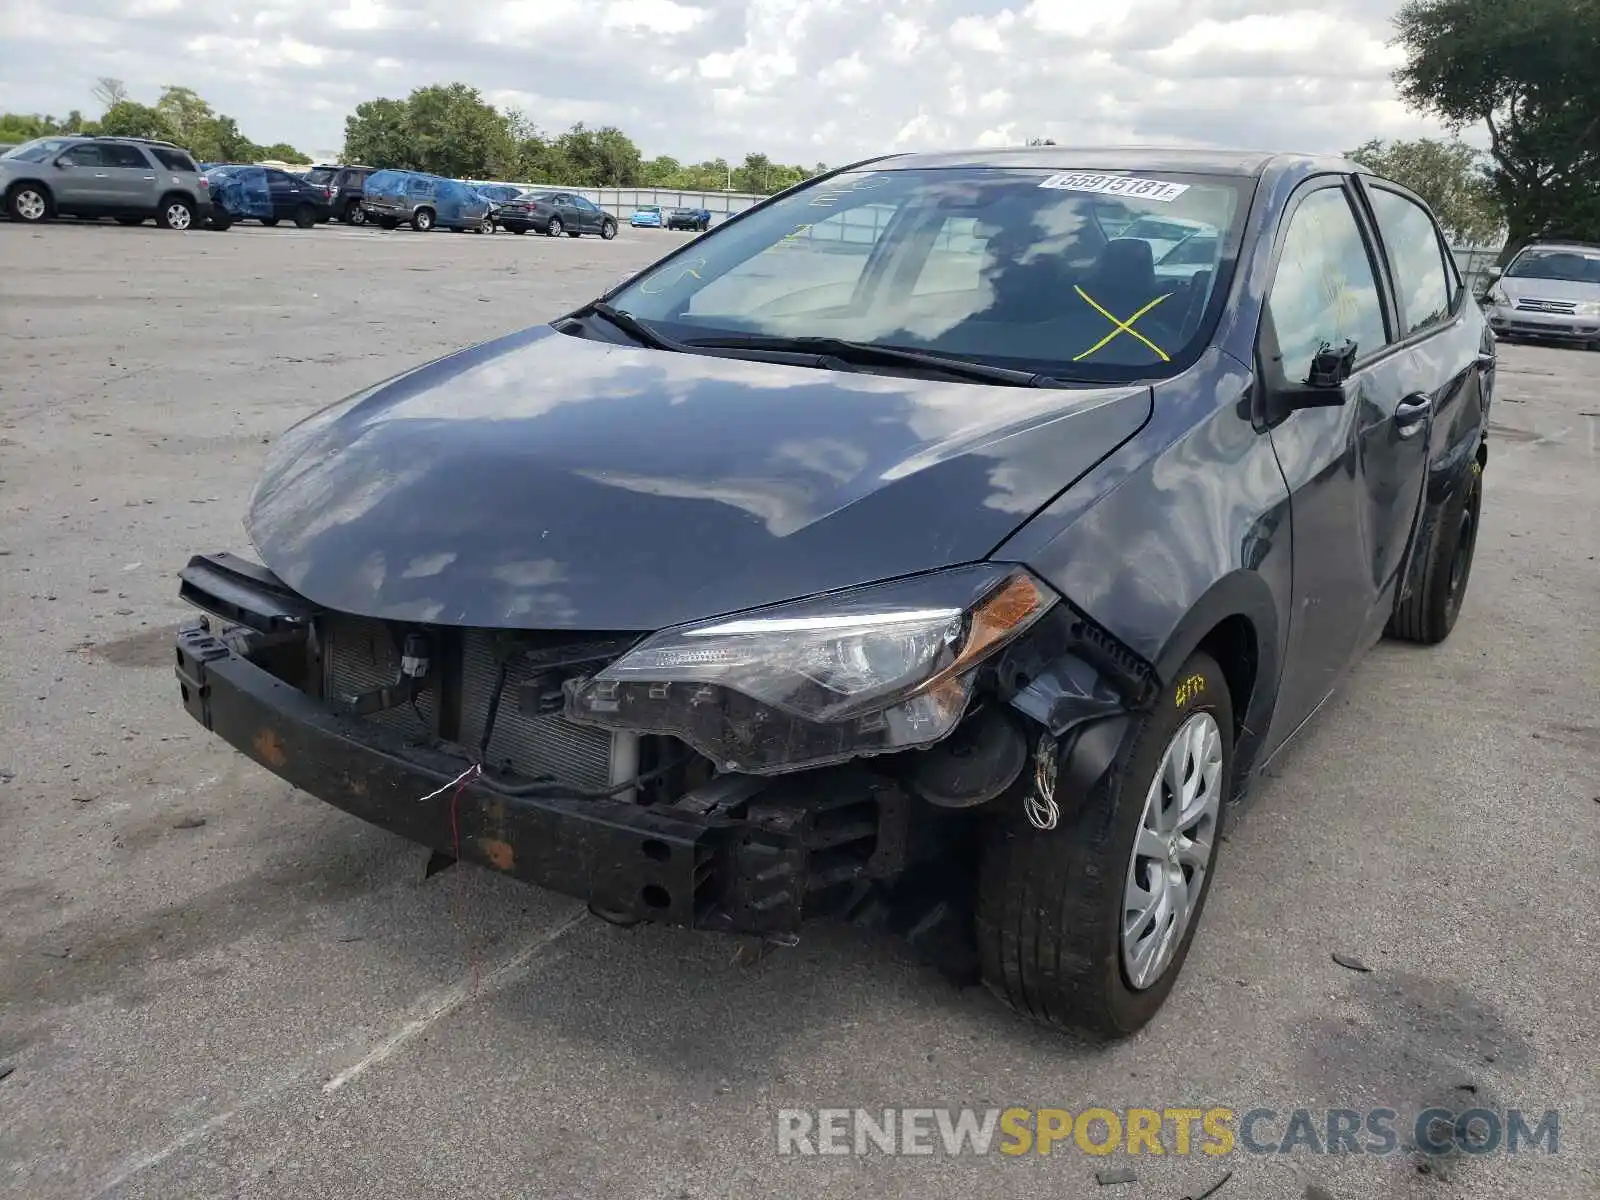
<point x="361" y="655"/>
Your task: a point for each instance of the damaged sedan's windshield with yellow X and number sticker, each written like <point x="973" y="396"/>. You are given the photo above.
<point x="1009" y="268"/>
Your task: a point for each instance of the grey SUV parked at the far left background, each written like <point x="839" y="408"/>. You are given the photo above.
<point x="129" y="178"/>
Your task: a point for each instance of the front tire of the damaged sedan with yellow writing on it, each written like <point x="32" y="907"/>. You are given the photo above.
<point x="1052" y="905"/>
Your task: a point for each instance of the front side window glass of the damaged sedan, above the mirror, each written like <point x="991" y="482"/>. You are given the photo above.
<point x="1326" y="289"/>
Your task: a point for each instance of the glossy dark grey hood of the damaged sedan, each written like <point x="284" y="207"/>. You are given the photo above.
<point x="548" y="481"/>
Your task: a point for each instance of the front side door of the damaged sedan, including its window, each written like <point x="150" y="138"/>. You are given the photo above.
<point x="1354" y="471"/>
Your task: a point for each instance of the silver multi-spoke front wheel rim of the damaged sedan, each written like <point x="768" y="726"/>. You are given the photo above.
<point x="1172" y="850"/>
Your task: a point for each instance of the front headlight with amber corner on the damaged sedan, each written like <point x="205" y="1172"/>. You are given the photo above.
<point x="815" y="682"/>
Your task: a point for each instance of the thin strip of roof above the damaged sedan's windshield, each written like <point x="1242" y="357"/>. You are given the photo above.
<point x="1194" y="161"/>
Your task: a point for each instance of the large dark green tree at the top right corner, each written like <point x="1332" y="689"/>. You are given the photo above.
<point x="1527" y="73"/>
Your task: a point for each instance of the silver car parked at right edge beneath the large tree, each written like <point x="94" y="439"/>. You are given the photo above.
<point x="1551" y="292"/>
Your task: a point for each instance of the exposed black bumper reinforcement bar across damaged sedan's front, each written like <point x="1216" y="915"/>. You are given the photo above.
<point x="738" y="855"/>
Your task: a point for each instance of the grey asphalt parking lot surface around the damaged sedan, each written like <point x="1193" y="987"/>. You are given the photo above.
<point x="214" y="986"/>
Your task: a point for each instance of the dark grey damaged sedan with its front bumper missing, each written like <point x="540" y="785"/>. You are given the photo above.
<point x="978" y="577"/>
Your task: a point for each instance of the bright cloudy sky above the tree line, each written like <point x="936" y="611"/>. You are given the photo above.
<point x="802" y="81"/>
